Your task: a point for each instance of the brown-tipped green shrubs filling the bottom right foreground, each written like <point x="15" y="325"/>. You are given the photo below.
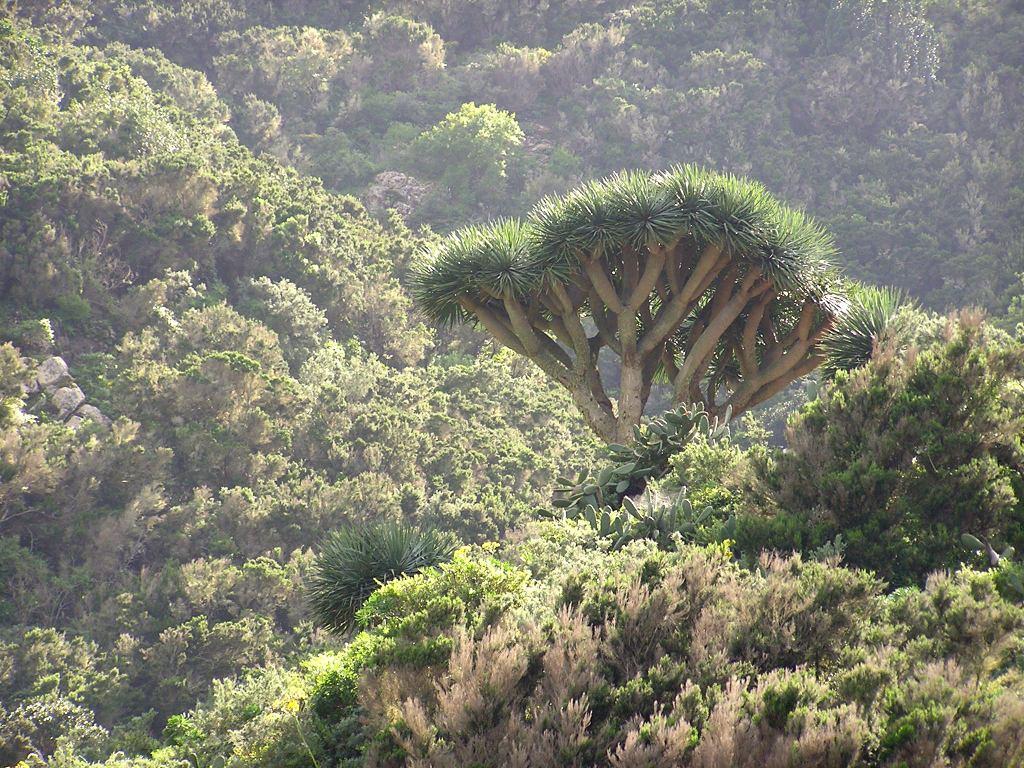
<point x="682" y="660"/>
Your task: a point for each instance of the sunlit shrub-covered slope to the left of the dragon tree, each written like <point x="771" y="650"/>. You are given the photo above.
<point x="248" y="334"/>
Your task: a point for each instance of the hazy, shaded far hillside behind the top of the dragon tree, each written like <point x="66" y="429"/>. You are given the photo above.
<point x="898" y="125"/>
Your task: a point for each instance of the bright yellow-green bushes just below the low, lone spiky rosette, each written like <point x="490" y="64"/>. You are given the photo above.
<point x="318" y="713"/>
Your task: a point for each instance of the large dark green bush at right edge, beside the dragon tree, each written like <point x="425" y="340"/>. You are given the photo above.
<point x="902" y="458"/>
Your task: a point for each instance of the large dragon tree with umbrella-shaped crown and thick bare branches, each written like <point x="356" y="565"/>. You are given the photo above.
<point x="701" y="280"/>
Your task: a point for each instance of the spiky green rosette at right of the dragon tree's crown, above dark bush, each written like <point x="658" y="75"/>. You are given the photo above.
<point x="871" y="317"/>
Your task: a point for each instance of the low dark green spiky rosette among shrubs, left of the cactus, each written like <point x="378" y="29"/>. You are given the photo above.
<point x="356" y="562"/>
